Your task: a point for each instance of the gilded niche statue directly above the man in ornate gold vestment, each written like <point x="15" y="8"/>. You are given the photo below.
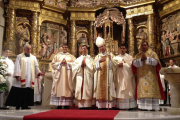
<point x="141" y="36"/>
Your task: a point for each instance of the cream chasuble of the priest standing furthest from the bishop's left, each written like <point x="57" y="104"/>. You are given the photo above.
<point x="62" y="75"/>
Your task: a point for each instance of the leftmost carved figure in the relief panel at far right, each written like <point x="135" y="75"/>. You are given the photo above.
<point x="166" y="43"/>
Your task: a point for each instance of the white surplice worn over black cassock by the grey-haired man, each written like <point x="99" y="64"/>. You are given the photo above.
<point x="28" y="70"/>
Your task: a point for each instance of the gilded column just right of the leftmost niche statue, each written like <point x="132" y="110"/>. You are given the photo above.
<point x="34" y="30"/>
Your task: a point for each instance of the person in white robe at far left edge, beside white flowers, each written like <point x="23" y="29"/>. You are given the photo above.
<point x="10" y="69"/>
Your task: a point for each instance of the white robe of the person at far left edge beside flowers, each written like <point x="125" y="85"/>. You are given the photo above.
<point x="10" y="70"/>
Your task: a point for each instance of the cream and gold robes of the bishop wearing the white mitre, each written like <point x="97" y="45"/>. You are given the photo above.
<point x="108" y="77"/>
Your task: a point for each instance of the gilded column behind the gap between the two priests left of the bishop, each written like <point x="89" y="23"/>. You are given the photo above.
<point x="73" y="41"/>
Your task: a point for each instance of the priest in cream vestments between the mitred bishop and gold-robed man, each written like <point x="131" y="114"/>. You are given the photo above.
<point x="125" y="81"/>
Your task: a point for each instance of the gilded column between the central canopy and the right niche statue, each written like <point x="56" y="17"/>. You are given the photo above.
<point x="131" y="36"/>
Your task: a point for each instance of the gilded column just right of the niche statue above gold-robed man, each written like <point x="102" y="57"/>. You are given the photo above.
<point x="151" y="39"/>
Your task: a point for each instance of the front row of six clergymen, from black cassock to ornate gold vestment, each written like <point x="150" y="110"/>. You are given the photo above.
<point x="105" y="81"/>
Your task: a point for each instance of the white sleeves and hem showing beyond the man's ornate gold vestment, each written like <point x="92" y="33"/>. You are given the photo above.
<point x="147" y="103"/>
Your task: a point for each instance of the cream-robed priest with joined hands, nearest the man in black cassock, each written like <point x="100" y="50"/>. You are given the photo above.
<point x="62" y="87"/>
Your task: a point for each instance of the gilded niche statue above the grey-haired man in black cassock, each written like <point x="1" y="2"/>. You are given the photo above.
<point x="23" y="35"/>
